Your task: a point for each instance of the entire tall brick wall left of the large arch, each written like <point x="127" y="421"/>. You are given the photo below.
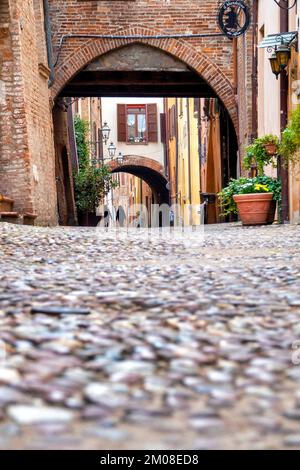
<point x="27" y="171"/>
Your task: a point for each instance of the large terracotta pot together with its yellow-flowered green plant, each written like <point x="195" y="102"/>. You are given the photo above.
<point x="254" y="199"/>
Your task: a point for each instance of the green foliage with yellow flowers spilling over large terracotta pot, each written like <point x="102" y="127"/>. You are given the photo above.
<point x="260" y="184"/>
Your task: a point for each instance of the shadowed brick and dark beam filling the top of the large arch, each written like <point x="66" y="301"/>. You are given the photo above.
<point x="137" y="70"/>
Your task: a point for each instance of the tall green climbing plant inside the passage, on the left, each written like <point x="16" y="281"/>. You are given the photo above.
<point x="91" y="183"/>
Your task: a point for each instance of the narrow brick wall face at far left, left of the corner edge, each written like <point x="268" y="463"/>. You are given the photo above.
<point x="14" y="156"/>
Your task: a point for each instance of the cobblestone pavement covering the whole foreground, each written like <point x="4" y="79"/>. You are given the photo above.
<point x="168" y="343"/>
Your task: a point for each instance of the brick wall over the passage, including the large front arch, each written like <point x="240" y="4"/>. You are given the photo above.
<point x="211" y="57"/>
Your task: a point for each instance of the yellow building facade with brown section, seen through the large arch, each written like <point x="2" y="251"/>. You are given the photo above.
<point x="201" y="154"/>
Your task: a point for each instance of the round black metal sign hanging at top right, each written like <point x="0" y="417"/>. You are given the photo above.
<point x="234" y="18"/>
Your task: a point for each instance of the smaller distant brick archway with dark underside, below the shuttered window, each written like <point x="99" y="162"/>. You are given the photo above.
<point x="149" y="170"/>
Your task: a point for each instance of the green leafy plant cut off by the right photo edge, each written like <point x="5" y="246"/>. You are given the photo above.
<point x="289" y="148"/>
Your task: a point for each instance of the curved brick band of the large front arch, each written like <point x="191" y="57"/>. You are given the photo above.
<point x="180" y="49"/>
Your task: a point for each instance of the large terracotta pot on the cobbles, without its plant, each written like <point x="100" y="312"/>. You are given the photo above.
<point x="254" y="208"/>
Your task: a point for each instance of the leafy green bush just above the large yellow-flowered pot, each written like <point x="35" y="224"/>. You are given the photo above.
<point x="257" y="154"/>
